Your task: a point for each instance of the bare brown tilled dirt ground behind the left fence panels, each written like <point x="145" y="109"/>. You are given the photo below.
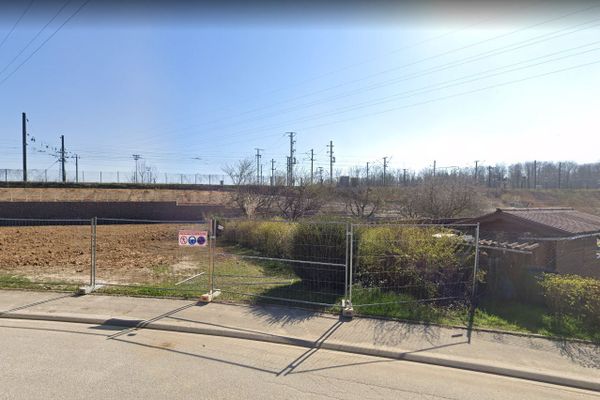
<point x="125" y="253"/>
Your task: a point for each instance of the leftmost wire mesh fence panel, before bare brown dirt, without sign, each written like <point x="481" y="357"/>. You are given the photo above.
<point x="50" y="252"/>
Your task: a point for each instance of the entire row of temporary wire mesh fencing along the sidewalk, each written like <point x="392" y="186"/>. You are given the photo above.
<point x="318" y="263"/>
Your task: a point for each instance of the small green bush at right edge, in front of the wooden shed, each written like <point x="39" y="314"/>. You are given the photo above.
<point x="574" y="296"/>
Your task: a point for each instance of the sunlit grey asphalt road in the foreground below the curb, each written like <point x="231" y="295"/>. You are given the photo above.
<point x="53" y="360"/>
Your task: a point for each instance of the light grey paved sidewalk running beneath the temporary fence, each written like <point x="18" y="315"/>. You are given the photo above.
<point x="560" y="362"/>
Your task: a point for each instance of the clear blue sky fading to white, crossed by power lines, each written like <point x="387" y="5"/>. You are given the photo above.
<point x="193" y="88"/>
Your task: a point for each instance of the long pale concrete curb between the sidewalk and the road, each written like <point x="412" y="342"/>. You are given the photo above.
<point x="540" y="376"/>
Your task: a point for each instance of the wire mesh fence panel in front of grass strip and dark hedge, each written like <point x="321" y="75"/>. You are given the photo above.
<point x="282" y="261"/>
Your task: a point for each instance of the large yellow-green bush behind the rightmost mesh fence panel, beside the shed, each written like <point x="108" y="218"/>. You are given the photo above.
<point x="422" y="260"/>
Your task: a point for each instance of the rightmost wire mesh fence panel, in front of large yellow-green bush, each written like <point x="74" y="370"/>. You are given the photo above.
<point x="410" y="269"/>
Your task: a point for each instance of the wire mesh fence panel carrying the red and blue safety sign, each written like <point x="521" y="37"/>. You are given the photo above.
<point x="152" y="254"/>
